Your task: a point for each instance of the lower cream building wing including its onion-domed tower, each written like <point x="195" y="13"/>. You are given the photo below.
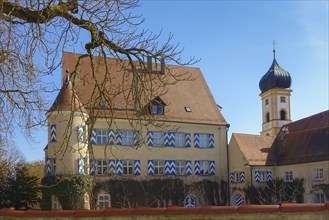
<point x="289" y="156"/>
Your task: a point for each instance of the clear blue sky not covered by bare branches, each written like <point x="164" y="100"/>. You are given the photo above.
<point x="234" y="39"/>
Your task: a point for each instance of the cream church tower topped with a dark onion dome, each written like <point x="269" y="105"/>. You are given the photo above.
<point x="275" y="95"/>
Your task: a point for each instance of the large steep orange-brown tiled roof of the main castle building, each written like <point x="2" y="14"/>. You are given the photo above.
<point x="118" y="85"/>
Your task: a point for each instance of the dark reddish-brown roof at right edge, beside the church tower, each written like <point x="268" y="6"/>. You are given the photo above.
<point x="307" y="140"/>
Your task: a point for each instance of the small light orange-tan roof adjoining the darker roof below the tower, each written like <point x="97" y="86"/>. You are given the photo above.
<point x="255" y="148"/>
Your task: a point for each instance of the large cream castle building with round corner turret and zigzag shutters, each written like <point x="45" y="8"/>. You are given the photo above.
<point x="145" y="138"/>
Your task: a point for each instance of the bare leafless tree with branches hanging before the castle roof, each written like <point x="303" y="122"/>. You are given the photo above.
<point x="34" y="33"/>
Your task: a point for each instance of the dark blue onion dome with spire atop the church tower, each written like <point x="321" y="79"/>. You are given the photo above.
<point x="276" y="77"/>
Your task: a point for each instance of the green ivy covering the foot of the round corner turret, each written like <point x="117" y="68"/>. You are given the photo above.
<point x="69" y="189"/>
